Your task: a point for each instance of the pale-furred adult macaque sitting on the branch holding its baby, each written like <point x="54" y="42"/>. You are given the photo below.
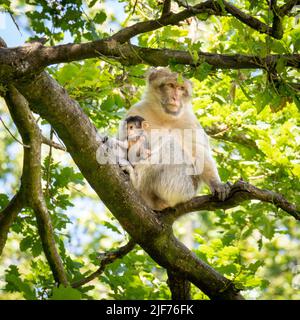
<point x="166" y="106"/>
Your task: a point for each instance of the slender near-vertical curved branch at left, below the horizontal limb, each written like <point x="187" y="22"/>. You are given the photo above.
<point x="31" y="187"/>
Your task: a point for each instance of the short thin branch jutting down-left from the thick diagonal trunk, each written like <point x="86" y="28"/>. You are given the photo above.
<point x="106" y="258"/>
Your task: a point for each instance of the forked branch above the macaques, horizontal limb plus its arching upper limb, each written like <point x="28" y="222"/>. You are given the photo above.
<point x="34" y="57"/>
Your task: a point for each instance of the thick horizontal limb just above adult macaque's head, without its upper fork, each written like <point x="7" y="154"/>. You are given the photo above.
<point x="25" y="61"/>
